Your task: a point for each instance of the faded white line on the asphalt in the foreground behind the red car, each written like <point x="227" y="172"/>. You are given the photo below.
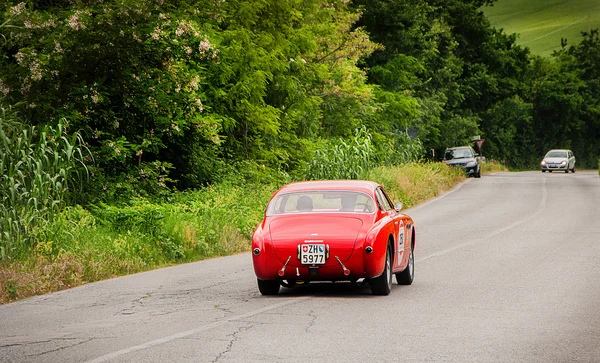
<point x="187" y="333"/>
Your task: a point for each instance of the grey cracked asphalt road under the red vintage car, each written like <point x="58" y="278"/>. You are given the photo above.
<point x="506" y="271"/>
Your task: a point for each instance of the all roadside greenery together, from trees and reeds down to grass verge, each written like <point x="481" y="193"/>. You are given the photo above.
<point x="140" y="133"/>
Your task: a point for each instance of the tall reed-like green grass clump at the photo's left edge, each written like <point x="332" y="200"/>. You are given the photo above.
<point x="40" y="166"/>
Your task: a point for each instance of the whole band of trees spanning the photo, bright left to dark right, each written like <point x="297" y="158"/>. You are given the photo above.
<point x="180" y="93"/>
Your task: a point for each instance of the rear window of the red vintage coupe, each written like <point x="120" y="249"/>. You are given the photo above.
<point x="321" y="202"/>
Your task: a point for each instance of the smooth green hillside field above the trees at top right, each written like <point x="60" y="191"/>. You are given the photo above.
<point x="541" y="24"/>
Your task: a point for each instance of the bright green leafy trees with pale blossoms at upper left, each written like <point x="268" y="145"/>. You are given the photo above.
<point x="194" y="85"/>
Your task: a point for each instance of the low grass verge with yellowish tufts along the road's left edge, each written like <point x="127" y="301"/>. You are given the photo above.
<point x="88" y="245"/>
